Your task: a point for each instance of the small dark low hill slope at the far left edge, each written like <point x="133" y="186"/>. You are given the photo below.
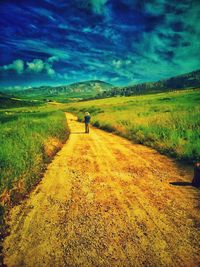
<point x="7" y="101"/>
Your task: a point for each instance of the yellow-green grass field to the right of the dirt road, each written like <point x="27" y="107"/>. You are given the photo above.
<point x="169" y="122"/>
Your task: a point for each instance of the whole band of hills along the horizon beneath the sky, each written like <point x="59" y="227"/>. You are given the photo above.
<point x="99" y="89"/>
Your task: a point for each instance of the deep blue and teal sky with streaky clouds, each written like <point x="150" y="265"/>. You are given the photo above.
<point x="122" y="42"/>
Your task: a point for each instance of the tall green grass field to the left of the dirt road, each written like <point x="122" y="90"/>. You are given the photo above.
<point x="30" y="137"/>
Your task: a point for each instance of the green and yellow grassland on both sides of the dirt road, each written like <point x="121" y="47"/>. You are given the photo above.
<point x="30" y="136"/>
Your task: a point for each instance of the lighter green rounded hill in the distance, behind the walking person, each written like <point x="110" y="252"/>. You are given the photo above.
<point x="80" y="89"/>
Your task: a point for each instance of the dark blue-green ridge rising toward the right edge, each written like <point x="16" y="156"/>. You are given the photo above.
<point x="180" y="82"/>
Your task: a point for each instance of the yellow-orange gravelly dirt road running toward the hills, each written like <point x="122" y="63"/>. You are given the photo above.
<point x="104" y="201"/>
